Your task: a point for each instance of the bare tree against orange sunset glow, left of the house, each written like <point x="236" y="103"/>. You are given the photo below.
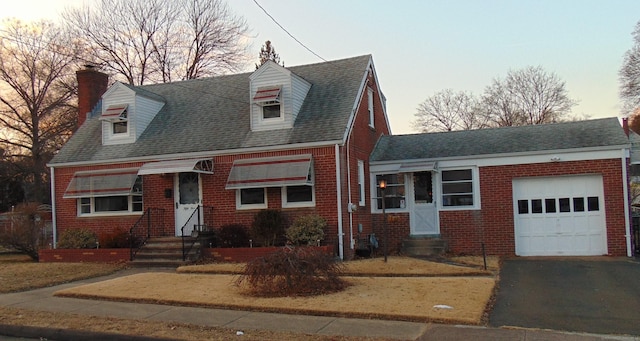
<point x="37" y="91"/>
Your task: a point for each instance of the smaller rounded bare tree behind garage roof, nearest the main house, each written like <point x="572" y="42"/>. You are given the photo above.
<point x="448" y="110"/>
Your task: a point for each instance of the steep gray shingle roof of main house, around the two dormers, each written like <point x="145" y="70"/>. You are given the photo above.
<point x="213" y="114"/>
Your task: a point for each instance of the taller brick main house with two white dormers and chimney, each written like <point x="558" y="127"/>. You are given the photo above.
<point x="297" y="139"/>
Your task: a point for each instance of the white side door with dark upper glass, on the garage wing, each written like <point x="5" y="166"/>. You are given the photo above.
<point x="424" y="215"/>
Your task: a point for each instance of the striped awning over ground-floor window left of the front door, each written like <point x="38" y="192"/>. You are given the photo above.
<point x="102" y="183"/>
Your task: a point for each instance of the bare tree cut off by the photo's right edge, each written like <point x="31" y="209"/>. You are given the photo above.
<point x="629" y="75"/>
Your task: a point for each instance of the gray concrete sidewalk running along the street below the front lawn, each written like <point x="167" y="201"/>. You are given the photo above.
<point x="43" y="300"/>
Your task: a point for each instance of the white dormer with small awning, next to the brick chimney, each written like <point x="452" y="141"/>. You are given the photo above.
<point x="126" y="113"/>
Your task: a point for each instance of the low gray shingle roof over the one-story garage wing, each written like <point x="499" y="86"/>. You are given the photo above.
<point x="598" y="133"/>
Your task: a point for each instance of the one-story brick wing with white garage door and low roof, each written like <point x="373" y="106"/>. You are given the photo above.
<point x="555" y="189"/>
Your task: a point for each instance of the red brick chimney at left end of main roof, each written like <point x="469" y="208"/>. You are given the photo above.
<point x="91" y="85"/>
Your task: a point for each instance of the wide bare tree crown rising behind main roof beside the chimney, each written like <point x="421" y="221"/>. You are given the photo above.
<point x="160" y="40"/>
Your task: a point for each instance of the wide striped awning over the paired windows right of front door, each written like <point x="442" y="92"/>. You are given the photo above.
<point x="271" y="172"/>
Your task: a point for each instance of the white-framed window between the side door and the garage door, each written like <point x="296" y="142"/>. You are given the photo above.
<point x="458" y="188"/>
